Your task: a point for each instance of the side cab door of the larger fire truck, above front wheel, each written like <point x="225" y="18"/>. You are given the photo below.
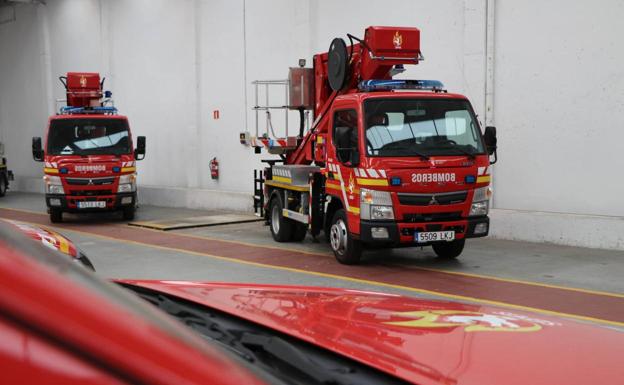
<point x="343" y="157"/>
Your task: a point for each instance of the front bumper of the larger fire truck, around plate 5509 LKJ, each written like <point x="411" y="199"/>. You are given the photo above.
<point x="402" y="234"/>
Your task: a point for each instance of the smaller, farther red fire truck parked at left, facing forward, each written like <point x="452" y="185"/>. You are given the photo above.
<point x="89" y="156"/>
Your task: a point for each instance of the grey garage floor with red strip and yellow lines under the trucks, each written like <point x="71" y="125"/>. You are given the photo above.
<point x="484" y="261"/>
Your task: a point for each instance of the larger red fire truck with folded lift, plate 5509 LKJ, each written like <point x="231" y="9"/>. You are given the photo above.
<point x="387" y="162"/>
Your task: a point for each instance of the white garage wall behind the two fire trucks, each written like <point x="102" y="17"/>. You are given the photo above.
<point x="558" y="89"/>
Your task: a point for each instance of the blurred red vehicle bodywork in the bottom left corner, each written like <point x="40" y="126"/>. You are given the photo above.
<point x="125" y="338"/>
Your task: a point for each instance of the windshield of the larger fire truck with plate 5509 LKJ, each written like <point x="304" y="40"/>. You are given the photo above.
<point x="421" y="127"/>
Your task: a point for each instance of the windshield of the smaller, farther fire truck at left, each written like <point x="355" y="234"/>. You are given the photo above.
<point x="88" y="137"/>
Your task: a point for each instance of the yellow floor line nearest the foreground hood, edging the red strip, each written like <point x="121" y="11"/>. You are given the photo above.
<point x="362" y="281"/>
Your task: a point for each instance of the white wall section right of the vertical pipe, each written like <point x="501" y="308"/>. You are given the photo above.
<point x="559" y="106"/>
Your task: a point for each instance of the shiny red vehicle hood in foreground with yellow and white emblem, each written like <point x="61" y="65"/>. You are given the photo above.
<point x="423" y="341"/>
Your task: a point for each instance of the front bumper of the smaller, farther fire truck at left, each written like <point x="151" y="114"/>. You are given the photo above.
<point x="70" y="203"/>
